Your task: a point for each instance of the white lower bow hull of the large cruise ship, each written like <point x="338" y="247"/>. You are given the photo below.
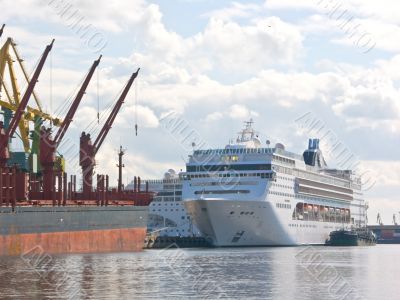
<point x="230" y="223"/>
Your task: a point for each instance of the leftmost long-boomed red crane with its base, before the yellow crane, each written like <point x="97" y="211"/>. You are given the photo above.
<point x="6" y="134"/>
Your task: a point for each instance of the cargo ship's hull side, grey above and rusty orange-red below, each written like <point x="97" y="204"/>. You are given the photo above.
<point x="72" y="229"/>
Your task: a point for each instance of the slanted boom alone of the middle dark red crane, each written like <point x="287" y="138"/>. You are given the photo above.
<point x="71" y="112"/>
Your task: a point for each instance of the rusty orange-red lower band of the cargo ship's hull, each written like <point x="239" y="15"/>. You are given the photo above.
<point x="93" y="241"/>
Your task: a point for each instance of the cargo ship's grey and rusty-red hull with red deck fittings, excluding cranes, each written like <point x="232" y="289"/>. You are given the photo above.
<point x="107" y="220"/>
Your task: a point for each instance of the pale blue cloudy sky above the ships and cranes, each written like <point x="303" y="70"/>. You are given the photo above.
<point x="215" y="64"/>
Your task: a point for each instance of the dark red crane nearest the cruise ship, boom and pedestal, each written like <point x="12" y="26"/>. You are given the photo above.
<point x="88" y="150"/>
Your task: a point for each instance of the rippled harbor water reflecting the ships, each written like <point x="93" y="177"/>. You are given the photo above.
<point x="220" y="273"/>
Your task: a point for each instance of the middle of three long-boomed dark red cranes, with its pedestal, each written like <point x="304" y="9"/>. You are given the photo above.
<point x="48" y="145"/>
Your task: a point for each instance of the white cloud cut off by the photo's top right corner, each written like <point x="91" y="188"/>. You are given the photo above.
<point x="370" y="23"/>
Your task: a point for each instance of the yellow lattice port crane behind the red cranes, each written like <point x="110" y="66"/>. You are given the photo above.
<point x="10" y="103"/>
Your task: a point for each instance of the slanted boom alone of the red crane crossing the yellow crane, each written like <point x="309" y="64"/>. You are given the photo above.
<point x="24" y="102"/>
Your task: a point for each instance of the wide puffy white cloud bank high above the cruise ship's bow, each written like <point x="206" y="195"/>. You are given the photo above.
<point x="224" y="44"/>
